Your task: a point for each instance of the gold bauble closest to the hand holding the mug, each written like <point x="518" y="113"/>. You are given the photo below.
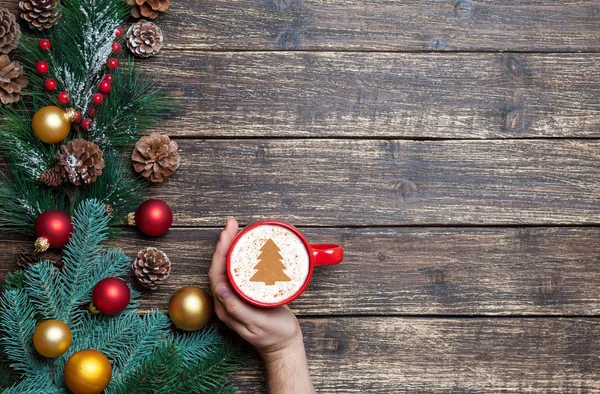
<point x="190" y="308"/>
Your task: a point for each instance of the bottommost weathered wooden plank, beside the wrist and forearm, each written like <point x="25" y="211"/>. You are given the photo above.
<point x="395" y="355"/>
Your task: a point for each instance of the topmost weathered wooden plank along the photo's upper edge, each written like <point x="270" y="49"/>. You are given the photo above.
<point x="396" y="25"/>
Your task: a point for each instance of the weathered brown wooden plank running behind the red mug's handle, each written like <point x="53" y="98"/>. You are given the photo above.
<point x="458" y="271"/>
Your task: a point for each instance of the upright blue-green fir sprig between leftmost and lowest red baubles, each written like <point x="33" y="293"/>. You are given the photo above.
<point x="90" y="227"/>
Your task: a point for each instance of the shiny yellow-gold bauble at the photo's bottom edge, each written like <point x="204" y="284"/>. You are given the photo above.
<point x="87" y="372"/>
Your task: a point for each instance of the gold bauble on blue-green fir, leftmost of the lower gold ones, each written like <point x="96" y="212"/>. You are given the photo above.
<point x="52" y="338"/>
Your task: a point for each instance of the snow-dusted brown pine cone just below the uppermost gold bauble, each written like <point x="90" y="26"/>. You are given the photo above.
<point x="80" y="161"/>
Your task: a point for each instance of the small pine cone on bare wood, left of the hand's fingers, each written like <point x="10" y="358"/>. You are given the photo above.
<point x="151" y="267"/>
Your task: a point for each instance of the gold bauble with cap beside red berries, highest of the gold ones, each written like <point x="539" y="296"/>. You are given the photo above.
<point x="52" y="124"/>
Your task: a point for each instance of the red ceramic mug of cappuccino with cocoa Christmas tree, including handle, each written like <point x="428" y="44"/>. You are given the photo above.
<point x="270" y="263"/>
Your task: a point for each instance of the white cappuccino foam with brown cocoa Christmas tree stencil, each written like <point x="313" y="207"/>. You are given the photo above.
<point x="287" y="267"/>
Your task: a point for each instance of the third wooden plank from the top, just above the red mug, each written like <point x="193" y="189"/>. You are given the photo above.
<point x="374" y="182"/>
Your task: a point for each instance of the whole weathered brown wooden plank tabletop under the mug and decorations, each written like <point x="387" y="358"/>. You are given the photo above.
<point x="451" y="147"/>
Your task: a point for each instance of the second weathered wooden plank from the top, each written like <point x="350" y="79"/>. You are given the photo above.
<point x="390" y="95"/>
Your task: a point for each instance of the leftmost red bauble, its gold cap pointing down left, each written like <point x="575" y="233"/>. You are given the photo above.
<point x="52" y="229"/>
